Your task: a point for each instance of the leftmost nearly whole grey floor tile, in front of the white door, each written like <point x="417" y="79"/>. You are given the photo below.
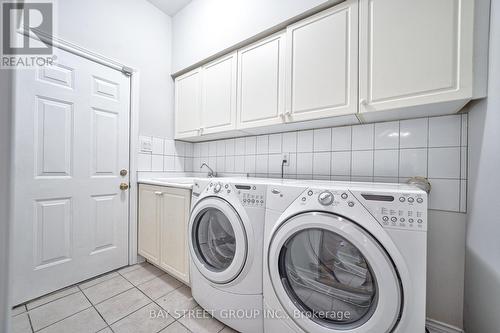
<point x="57" y="310"/>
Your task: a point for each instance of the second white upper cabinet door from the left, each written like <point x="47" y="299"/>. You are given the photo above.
<point x="219" y="95"/>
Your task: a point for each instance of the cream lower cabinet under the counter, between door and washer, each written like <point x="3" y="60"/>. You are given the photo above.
<point x="163" y="228"/>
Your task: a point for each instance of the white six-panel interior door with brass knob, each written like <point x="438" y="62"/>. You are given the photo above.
<point x="71" y="141"/>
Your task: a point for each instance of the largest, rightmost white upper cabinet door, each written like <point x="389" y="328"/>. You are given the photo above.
<point x="414" y="52"/>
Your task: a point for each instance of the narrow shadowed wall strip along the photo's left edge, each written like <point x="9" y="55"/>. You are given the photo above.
<point x="5" y="195"/>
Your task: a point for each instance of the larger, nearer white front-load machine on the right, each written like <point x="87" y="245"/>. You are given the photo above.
<point x="345" y="257"/>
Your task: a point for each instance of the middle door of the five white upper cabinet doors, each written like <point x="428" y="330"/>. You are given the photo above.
<point x="261" y="83"/>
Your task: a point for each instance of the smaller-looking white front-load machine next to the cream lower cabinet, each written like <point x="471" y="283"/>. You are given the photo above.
<point x="226" y="232"/>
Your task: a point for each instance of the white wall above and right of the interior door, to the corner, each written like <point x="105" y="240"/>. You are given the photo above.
<point x="133" y="32"/>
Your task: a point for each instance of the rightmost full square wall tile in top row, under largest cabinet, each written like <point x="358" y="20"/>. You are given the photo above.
<point x="445" y="131"/>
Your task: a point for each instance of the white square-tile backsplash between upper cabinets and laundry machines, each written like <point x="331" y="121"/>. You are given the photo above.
<point x="435" y="148"/>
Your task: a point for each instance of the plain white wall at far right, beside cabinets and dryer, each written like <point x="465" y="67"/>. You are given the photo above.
<point x="482" y="271"/>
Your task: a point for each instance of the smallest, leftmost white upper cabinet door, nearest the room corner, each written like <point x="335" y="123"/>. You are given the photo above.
<point x="188" y="104"/>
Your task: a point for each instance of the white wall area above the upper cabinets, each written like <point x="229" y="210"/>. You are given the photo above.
<point x="206" y="27"/>
